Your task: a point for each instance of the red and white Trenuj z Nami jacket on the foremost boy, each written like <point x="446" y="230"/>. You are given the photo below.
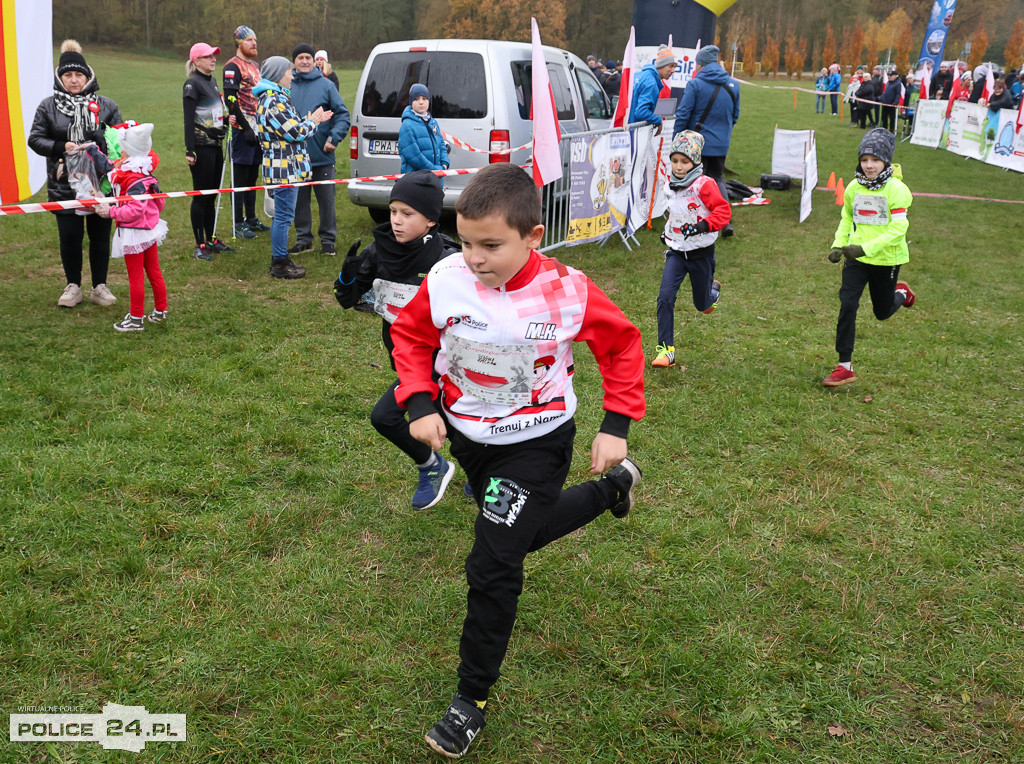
<point x="505" y="362"/>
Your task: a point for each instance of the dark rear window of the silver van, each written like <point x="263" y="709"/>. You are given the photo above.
<point x="457" y="83"/>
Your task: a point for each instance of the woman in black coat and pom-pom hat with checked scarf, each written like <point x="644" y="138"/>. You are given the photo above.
<point x="73" y="116"/>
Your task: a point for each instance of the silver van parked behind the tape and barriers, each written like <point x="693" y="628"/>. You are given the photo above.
<point x="480" y="94"/>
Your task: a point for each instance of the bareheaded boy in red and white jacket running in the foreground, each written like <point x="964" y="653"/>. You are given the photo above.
<point x="473" y="337"/>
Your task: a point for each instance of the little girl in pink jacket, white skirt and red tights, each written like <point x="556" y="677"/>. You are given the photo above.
<point x="140" y="228"/>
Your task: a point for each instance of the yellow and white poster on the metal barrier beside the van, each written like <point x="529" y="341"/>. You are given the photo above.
<point x="600" y="188"/>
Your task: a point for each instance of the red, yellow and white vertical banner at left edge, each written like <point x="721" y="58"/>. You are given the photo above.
<point x="27" y="59"/>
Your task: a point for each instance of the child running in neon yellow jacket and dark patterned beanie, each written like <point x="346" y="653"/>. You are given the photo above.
<point x="872" y="236"/>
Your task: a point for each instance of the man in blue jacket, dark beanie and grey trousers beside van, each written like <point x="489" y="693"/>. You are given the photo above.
<point x="310" y="91"/>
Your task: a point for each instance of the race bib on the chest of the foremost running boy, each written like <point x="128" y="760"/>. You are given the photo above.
<point x="494" y="374"/>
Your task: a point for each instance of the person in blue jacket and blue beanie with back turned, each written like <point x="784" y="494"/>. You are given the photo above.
<point x="711" y="107"/>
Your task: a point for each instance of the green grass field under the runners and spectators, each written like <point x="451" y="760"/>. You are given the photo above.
<point x="200" y="519"/>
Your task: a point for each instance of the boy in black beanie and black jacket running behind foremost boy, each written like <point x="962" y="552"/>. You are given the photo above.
<point x="395" y="266"/>
